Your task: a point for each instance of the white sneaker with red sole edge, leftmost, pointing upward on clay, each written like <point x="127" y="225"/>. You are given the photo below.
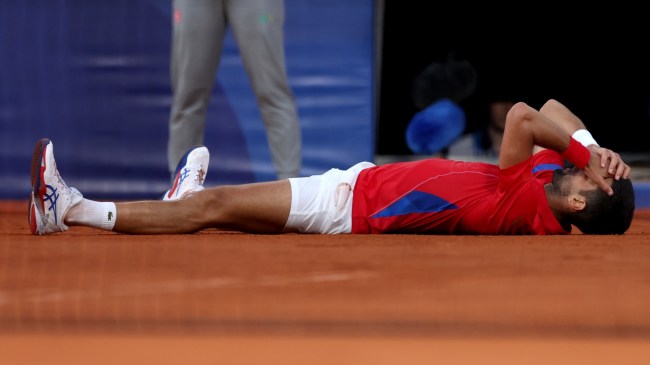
<point x="50" y="198"/>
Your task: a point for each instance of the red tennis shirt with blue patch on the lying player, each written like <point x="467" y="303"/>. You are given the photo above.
<point x="440" y="196"/>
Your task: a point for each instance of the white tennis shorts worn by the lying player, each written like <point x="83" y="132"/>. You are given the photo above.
<point x="323" y="203"/>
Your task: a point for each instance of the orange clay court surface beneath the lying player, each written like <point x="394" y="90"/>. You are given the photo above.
<point x="93" y="297"/>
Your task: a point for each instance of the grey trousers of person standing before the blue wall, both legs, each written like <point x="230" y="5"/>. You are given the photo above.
<point x="198" y="34"/>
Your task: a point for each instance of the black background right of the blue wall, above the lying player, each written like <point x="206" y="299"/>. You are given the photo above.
<point x="594" y="61"/>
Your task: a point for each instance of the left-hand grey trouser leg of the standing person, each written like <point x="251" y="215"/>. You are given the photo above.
<point x="198" y="31"/>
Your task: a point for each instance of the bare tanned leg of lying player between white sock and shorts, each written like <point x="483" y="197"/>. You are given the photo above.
<point x="255" y="208"/>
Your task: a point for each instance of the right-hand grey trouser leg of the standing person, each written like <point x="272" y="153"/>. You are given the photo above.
<point x="258" y="26"/>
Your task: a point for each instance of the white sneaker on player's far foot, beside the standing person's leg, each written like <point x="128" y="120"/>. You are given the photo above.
<point x="190" y="173"/>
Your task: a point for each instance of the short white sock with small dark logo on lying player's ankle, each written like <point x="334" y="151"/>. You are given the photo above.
<point x="92" y="213"/>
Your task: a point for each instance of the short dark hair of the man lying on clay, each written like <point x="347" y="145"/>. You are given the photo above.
<point x="606" y="214"/>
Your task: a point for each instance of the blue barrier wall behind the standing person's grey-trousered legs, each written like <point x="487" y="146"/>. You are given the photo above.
<point x="93" y="76"/>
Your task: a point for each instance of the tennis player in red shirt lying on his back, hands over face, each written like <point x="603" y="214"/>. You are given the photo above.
<point x="528" y="192"/>
